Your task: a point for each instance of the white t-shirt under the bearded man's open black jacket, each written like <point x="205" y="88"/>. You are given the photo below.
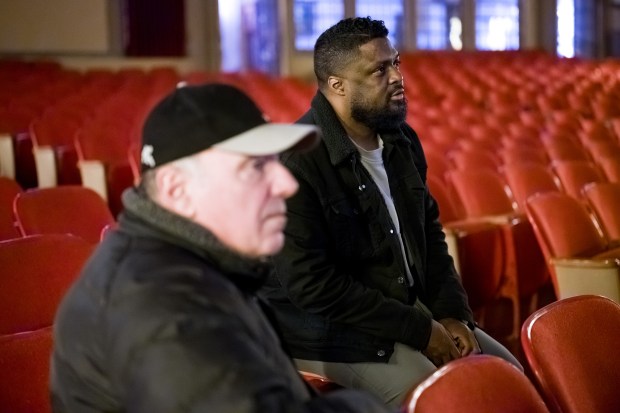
<point x="373" y="162"/>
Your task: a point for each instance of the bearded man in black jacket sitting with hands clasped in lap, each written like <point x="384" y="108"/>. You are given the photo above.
<point x="364" y="288"/>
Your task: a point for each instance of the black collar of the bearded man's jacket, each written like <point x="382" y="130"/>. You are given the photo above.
<point x="339" y="146"/>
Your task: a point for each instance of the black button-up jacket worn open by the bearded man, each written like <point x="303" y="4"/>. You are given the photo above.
<point x="339" y="286"/>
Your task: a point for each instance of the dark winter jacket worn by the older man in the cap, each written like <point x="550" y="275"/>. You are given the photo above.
<point x="165" y="319"/>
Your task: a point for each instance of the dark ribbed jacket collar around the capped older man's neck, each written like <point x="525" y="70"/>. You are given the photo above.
<point x="144" y="217"/>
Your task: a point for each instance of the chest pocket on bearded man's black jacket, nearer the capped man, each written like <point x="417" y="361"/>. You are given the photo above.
<point x="349" y="229"/>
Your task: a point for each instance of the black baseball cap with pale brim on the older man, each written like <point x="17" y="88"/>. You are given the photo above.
<point x="194" y="118"/>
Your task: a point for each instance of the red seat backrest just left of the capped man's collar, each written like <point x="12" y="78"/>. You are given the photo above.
<point x="63" y="209"/>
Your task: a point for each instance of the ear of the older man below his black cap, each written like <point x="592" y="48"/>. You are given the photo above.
<point x="172" y="190"/>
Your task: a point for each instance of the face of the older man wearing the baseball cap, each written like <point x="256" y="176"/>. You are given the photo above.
<point x="242" y="200"/>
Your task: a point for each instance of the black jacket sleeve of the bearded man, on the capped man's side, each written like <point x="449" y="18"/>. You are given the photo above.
<point x="306" y="268"/>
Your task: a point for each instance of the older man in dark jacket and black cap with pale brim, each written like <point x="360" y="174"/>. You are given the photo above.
<point x="164" y="317"/>
